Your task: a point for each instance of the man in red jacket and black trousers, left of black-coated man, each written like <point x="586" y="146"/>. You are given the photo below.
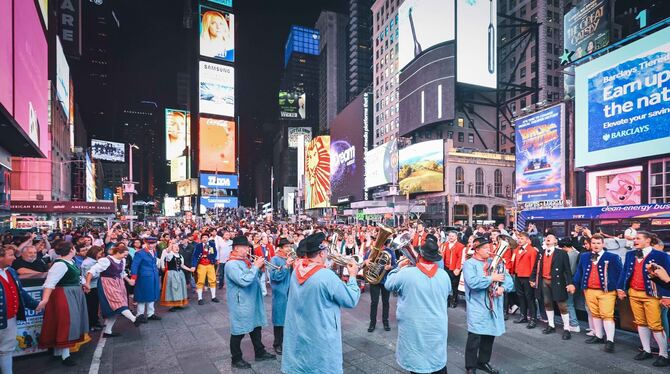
<point x="524" y="259"/>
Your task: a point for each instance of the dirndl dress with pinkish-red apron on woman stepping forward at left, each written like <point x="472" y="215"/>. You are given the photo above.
<point x="112" y="290"/>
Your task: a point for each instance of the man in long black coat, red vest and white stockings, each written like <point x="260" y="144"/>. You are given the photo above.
<point x="551" y="276"/>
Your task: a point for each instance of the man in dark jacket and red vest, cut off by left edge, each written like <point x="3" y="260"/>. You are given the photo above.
<point x="13" y="301"/>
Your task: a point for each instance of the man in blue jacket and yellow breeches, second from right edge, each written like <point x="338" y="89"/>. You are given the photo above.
<point x="597" y="273"/>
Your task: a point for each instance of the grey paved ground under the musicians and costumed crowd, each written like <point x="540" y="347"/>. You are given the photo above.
<point x="195" y="340"/>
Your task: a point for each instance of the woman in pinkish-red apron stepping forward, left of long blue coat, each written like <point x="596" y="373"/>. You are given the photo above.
<point x="111" y="290"/>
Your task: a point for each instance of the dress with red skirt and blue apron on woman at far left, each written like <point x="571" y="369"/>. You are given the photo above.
<point x="65" y="323"/>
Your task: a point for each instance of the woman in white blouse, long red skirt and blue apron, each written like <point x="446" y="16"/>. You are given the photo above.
<point x="65" y="323"/>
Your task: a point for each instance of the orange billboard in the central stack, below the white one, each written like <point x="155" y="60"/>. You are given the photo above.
<point x="217" y="145"/>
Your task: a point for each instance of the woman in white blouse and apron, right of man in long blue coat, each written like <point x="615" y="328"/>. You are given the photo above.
<point x="174" y="293"/>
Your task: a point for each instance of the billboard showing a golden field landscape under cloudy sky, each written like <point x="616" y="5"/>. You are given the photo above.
<point x="421" y="167"/>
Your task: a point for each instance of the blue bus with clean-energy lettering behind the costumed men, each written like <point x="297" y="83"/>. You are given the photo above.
<point x="610" y="220"/>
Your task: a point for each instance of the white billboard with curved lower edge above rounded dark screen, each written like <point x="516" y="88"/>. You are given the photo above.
<point x="423" y="24"/>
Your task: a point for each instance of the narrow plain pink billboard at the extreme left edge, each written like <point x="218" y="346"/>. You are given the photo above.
<point x="6" y="56"/>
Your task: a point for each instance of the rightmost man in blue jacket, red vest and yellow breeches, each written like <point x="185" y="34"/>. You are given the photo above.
<point x="645" y="303"/>
